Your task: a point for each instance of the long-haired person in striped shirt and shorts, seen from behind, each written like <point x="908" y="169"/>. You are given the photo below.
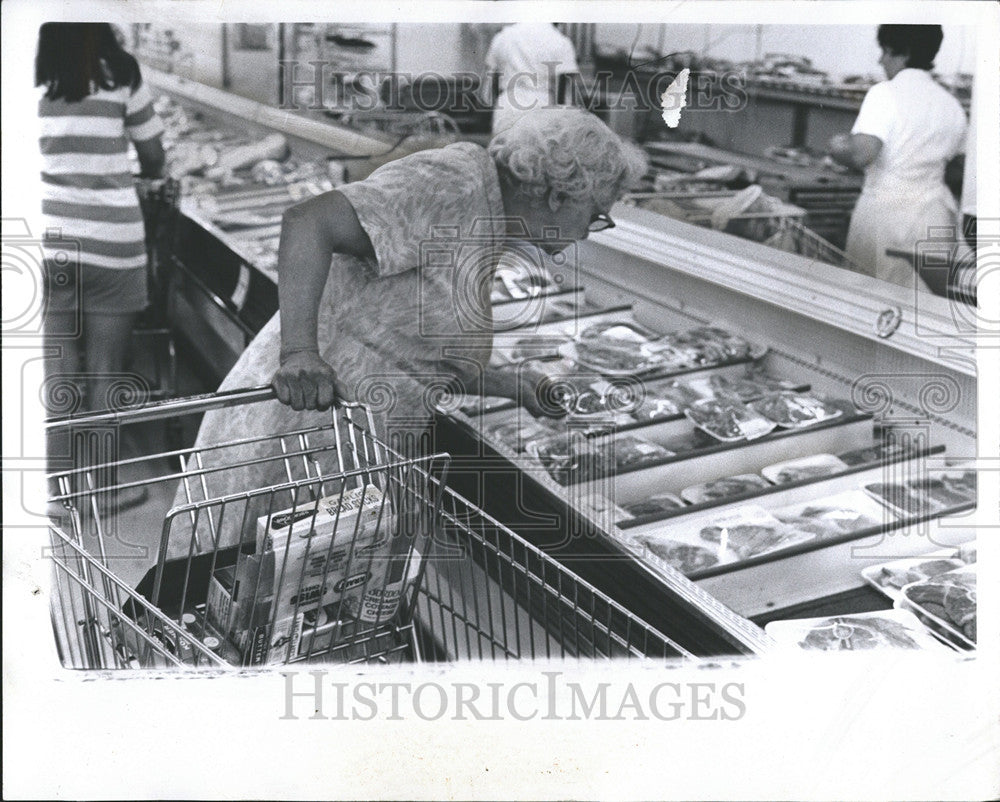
<point x="94" y="103"/>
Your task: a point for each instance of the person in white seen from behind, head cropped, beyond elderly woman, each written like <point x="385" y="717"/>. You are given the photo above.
<point x="533" y="63"/>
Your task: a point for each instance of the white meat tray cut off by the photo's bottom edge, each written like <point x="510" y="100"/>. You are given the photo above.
<point x="889" y="629"/>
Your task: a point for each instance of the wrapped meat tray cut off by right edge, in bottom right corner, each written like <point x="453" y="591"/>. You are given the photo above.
<point x="946" y="603"/>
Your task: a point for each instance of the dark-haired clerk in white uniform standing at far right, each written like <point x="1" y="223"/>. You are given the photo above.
<point x="908" y="128"/>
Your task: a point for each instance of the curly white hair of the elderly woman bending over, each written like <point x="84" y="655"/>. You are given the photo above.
<point x="569" y="152"/>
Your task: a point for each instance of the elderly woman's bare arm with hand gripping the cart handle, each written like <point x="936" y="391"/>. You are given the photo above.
<point x="311" y="233"/>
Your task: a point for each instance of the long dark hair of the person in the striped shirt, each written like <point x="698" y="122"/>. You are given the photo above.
<point x="75" y="58"/>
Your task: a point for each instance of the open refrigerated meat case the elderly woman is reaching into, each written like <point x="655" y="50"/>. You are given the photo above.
<point x="900" y="366"/>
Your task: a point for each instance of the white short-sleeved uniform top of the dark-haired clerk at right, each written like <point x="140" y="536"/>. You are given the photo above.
<point x="921" y="127"/>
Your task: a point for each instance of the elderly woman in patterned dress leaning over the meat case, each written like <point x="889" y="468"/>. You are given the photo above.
<point x="384" y="284"/>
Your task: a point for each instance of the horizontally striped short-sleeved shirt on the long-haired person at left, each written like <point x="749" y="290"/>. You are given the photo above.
<point x="88" y="191"/>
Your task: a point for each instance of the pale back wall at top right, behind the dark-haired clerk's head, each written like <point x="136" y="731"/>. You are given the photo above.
<point x="837" y="49"/>
